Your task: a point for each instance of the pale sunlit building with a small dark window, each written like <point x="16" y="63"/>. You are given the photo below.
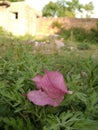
<point x="18" y="18"/>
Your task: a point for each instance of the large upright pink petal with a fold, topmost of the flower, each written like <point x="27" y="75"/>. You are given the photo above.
<point x="53" y="84"/>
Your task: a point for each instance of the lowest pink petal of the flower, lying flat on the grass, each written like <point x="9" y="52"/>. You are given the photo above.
<point x="39" y="97"/>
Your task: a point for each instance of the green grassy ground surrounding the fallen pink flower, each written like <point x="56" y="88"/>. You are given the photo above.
<point x="20" y="62"/>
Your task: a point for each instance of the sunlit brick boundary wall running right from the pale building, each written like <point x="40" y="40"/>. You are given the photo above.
<point x="44" y="25"/>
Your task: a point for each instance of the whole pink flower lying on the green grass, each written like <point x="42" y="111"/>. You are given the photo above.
<point x="51" y="89"/>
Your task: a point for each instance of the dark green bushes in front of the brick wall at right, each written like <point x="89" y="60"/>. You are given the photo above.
<point x="80" y="35"/>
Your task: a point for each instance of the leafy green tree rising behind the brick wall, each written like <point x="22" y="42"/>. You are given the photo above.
<point x="63" y="8"/>
